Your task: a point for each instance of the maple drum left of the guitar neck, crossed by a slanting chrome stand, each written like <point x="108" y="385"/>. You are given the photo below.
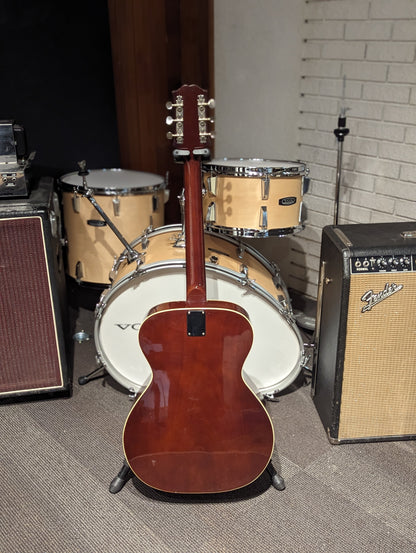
<point x="131" y="199"/>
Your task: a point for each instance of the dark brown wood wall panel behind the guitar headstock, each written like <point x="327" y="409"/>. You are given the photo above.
<point x="155" y="50"/>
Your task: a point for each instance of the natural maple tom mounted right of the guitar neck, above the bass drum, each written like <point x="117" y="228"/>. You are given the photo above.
<point x="253" y="197"/>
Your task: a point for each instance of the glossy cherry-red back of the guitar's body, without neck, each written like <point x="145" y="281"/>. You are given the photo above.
<point x="197" y="428"/>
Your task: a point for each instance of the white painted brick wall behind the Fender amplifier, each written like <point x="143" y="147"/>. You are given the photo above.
<point x="366" y="48"/>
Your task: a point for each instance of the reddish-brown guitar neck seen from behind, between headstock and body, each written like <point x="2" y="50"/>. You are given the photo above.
<point x="194" y="235"/>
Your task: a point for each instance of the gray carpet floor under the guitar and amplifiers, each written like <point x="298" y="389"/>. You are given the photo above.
<point x="59" y="456"/>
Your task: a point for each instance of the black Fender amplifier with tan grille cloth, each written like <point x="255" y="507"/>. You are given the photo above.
<point x="364" y="375"/>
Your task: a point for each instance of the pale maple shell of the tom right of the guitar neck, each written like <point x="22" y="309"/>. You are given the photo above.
<point x="238" y="203"/>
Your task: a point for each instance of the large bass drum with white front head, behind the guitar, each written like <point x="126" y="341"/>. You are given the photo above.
<point x="234" y="273"/>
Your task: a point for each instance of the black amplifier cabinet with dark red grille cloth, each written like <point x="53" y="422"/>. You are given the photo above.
<point x="33" y="349"/>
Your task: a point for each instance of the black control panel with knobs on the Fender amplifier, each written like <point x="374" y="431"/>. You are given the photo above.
<point x="383" y="263"/>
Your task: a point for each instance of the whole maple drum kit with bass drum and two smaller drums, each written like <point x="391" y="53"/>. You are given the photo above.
<point x="106" y="209"/>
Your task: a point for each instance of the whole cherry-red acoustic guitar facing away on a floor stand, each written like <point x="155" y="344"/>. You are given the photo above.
<point x="197" y="428"/>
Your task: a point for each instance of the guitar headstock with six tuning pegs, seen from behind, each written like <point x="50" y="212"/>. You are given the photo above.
<point x="191" y="134"/>
